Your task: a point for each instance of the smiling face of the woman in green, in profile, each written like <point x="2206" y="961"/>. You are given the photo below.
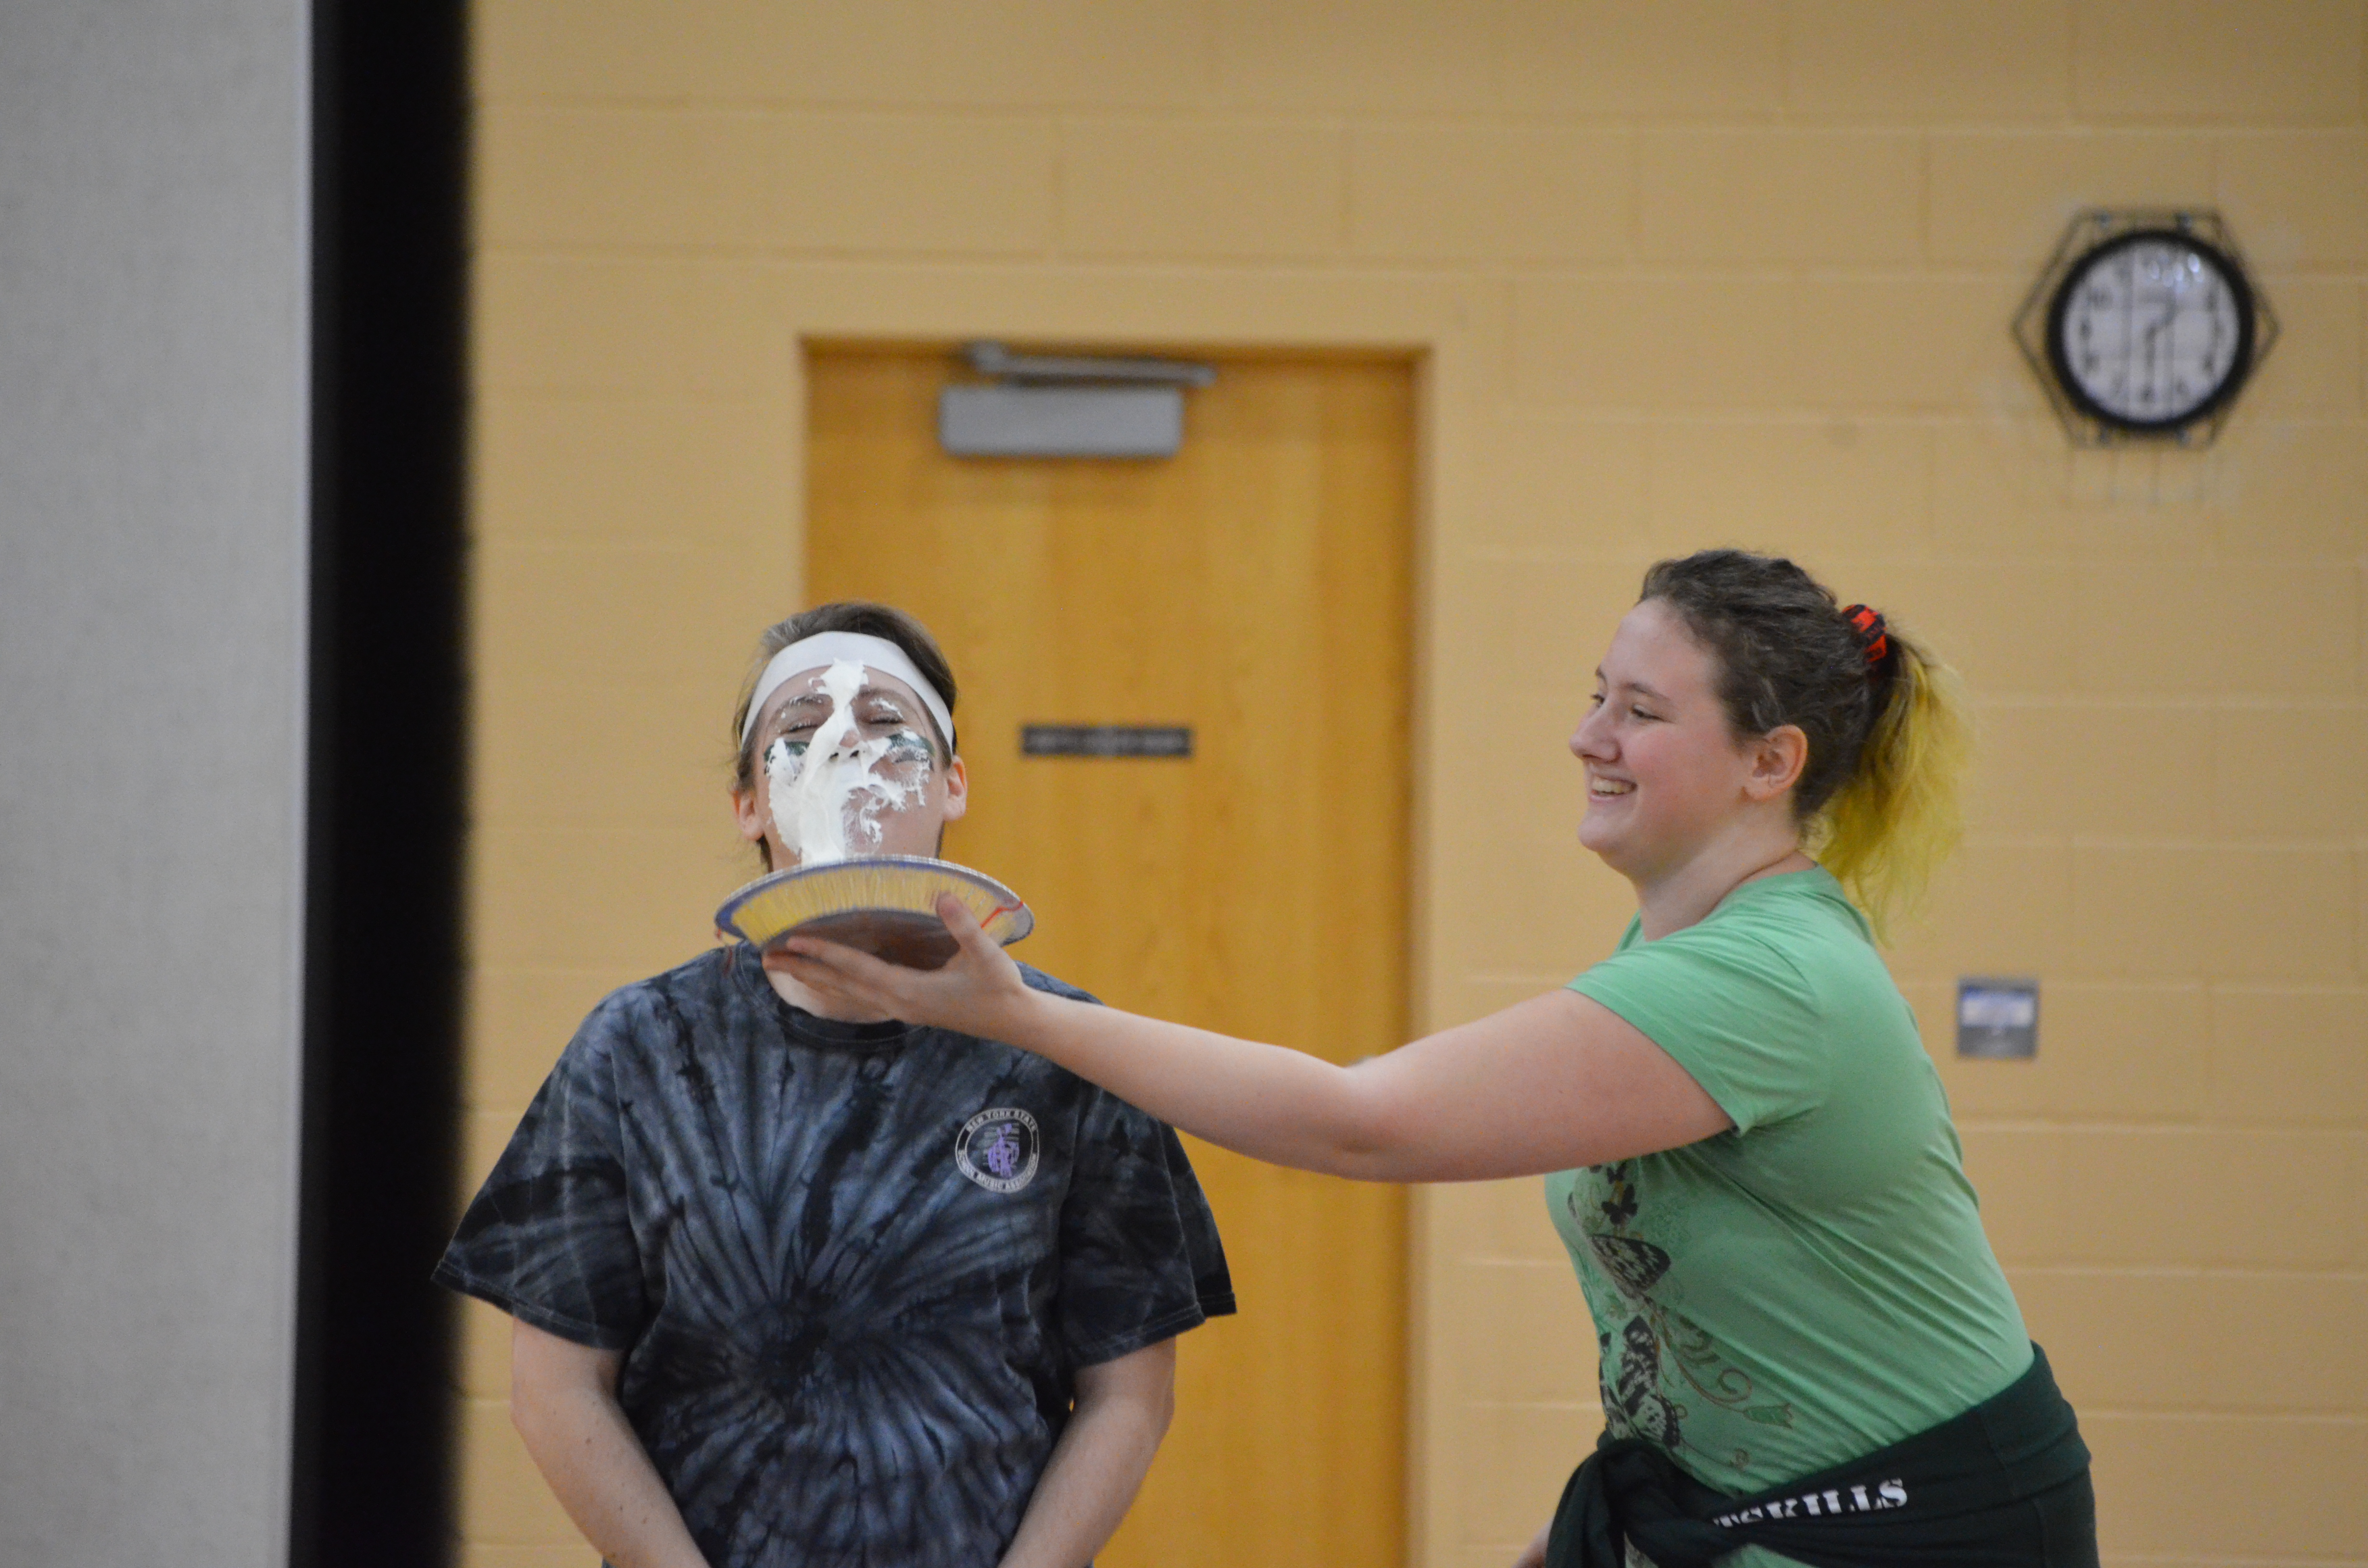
<point x="1666" y="773"/>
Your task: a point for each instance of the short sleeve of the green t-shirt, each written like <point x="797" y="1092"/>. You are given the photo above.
<point x="1732" y="1010"/>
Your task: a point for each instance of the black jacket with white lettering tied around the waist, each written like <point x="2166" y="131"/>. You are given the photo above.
<point x="2002" y="1486"/>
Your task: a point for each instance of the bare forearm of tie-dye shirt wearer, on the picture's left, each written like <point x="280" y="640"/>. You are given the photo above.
<point x="603" y="1477"/>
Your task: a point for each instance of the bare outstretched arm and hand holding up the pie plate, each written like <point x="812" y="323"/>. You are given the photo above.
<point x="1543" y="1086"/>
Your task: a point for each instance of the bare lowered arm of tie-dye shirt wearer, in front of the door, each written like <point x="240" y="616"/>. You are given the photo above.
<point x="1100" y="1465"/>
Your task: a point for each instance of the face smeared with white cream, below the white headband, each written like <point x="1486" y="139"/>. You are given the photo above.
<point x="847" y="766"/>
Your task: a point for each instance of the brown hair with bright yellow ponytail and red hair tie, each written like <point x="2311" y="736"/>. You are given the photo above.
<point x="1884" y="719"/>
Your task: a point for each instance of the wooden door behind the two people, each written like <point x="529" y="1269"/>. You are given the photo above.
<point x="1256" y="589"/>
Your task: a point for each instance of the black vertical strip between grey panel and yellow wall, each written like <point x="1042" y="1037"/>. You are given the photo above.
<point x="371" y="1446"/>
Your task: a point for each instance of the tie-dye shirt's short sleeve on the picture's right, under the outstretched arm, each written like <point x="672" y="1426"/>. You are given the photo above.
<point x="1140" y="1252"/>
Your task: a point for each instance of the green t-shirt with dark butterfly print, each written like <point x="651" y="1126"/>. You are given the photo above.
<point x="1815" y="1283"/>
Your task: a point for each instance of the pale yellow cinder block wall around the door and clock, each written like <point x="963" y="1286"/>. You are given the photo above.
<point x="1680" y="271"/>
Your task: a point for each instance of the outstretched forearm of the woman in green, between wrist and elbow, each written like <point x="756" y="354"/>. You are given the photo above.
<point x="1261" y="1100"/>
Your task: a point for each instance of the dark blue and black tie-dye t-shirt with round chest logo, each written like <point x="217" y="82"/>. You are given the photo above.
<point x="854" y="1268"/>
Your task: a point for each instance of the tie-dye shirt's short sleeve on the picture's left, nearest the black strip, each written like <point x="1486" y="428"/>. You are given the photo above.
<point x="551" y="1235"/>
